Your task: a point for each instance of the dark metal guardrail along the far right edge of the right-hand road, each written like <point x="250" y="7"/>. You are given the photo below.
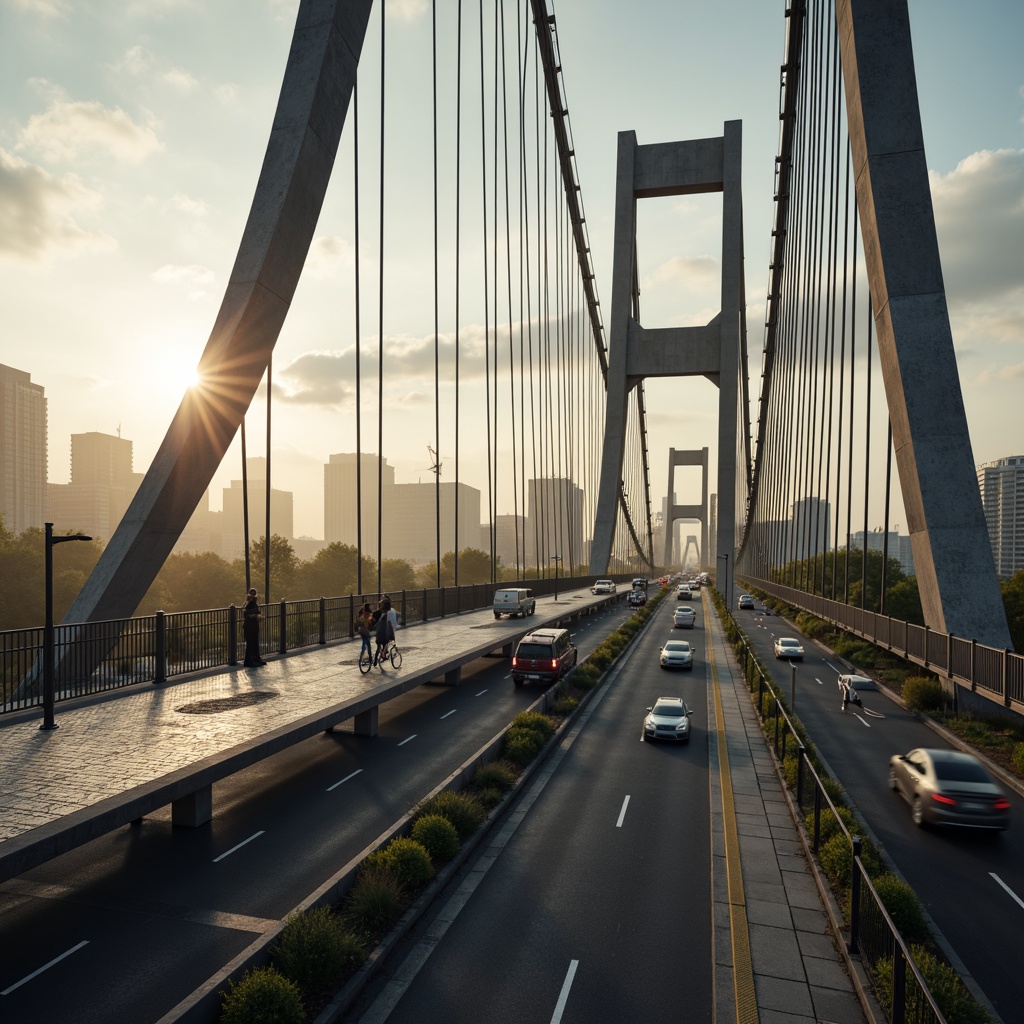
<point x="996" y="673"/>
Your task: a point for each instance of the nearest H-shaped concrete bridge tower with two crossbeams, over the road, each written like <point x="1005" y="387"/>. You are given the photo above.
<point x="715" y="351"/>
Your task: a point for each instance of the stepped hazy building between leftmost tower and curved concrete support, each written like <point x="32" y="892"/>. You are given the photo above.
<point x="102" y="487"/>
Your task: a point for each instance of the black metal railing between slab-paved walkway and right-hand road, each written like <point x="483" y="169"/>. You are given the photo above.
<point x="873" y="933"/>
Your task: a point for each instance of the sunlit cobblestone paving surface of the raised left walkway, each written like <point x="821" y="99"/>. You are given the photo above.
<point x="109" y="746"/>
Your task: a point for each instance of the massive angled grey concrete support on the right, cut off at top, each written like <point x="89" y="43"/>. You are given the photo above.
<point x="953" y="554"/>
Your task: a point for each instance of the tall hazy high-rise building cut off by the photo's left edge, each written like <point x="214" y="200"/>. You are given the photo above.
<point x="23" y="451"/>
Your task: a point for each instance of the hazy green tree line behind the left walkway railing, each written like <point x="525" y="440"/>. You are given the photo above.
<point x="192" y="582"/>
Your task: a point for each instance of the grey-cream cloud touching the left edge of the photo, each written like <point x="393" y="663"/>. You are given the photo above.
<point x="38" y="215"/>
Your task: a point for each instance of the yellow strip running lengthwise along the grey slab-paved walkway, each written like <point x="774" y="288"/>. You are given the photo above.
<point x="743" y="971"/>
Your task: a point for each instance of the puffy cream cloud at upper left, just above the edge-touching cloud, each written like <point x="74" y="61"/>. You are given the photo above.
<point x="72" y="131"/>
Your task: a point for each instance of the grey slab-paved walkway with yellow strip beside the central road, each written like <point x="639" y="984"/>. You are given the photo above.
<point x="777" y="962"/>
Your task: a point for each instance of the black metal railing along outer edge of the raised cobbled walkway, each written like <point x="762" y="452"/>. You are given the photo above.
<point x="154" y="649"/>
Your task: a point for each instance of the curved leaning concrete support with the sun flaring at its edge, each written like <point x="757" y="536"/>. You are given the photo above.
<point x="315" y="97"/>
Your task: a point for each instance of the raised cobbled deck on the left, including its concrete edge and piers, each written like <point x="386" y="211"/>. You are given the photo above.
<point x="116" y="758"/>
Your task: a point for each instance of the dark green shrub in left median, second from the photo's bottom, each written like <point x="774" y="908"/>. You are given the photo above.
<point x="316" y="951"/>
